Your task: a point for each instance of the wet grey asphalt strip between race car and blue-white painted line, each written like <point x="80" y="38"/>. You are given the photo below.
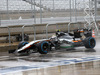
<point x="10" y="60"/>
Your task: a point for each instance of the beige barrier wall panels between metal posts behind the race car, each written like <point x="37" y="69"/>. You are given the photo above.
<point x="40" y="31"/>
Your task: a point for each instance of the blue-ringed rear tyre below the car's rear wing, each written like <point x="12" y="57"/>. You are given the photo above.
<point x="89" y="42"/>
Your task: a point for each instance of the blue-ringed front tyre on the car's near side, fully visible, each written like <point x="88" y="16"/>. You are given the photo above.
<point x="43" y="47"/>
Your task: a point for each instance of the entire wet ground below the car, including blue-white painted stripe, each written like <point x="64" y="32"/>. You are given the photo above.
<point x="89" y="60"/>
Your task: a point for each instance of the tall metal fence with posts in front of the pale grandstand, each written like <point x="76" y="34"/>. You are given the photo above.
<point x="29" y="12"/>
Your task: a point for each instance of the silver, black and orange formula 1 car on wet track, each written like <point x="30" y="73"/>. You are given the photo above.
<point x="79" y="37"/>
